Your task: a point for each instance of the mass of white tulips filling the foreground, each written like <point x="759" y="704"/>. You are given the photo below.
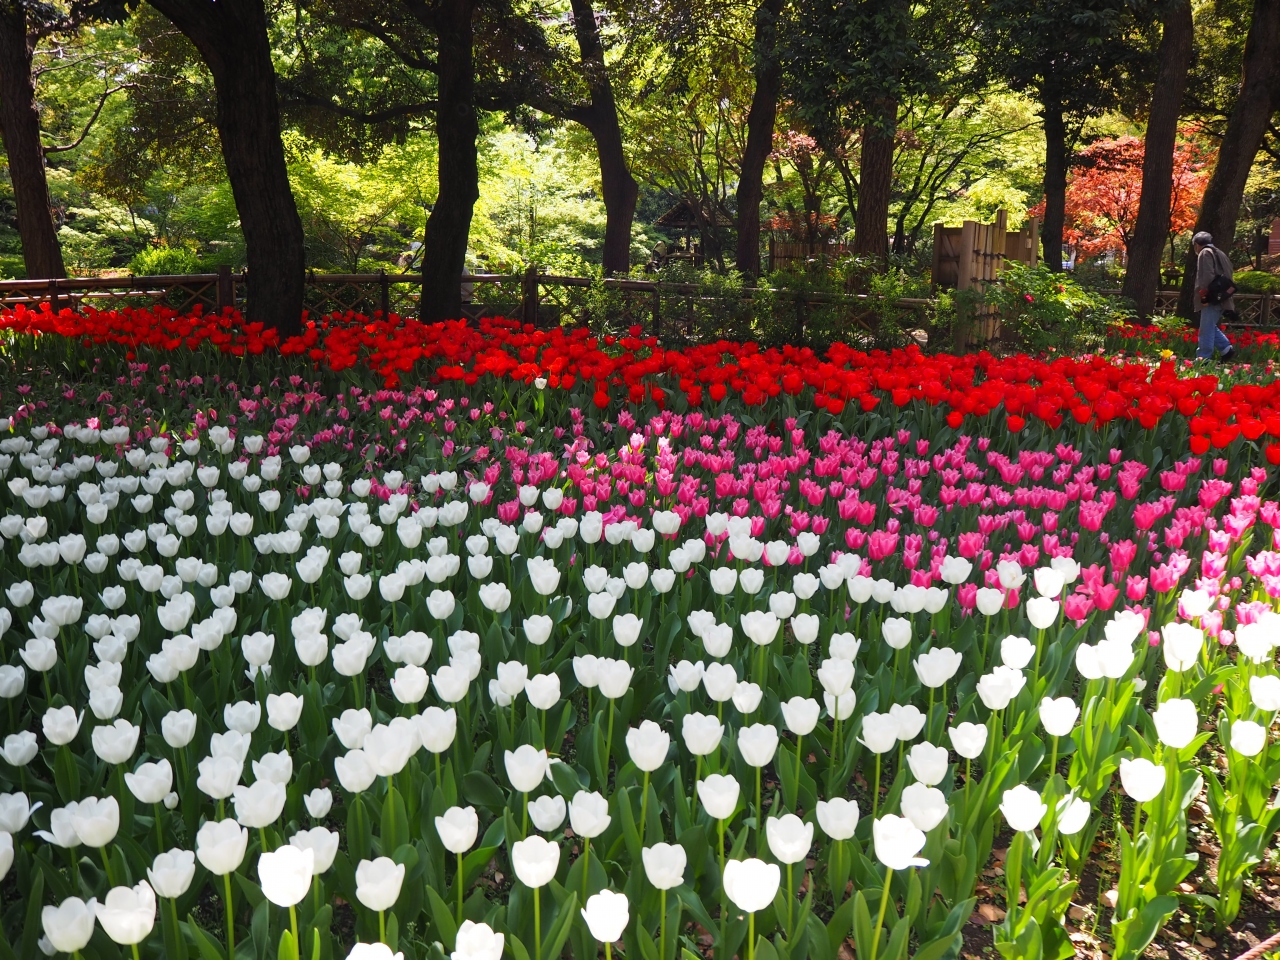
<point x="262" y="707"/>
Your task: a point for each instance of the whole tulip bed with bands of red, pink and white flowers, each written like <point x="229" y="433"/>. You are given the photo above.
<point x="780" y="673"/>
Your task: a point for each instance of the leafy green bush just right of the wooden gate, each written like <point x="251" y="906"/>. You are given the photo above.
<point x="1044" y="312"/>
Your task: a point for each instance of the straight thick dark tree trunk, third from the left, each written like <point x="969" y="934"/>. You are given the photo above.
<point x="459" y="180"/>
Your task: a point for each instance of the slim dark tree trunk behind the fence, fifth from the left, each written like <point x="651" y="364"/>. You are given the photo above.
<point x="760" y="136"/>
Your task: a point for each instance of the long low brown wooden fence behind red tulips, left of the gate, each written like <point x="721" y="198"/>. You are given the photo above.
<point x="676" y="312"/>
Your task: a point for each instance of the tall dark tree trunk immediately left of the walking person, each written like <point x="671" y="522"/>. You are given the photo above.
<point x="1146" y="249"/>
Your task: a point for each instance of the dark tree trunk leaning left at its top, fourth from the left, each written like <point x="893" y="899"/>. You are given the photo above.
<point x="601" y="120"/>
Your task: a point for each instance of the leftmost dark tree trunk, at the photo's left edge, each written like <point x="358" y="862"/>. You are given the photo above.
<point x="20" y="126"/>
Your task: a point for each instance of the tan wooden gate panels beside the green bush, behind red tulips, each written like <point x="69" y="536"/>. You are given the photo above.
<point x="971" y="257"/>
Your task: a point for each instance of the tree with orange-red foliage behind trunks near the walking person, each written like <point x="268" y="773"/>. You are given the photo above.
<point x="1104" y="193"/>
